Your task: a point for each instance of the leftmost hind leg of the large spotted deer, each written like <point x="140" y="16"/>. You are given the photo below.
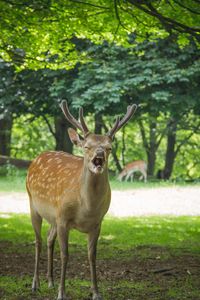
<point x="37" y="223"/>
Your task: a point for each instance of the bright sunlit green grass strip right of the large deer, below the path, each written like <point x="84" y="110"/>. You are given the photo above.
<point x="175" y="232"/>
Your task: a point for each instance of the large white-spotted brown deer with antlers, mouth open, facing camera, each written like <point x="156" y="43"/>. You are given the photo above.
<point x="72" y="192"/>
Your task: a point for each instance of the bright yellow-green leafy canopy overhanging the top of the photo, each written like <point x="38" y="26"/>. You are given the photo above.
<point x="39" y="34"/>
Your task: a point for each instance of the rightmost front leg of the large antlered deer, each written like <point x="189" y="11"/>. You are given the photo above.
<point x="92" y="247"/>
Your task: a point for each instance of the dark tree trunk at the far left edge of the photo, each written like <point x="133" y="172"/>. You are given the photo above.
<point x="5" y="135"/>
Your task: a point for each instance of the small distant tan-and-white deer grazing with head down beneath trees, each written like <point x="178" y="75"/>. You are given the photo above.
<point x="135" y="166"/>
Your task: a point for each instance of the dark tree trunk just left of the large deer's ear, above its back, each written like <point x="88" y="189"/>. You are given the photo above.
<point x="63" y="142"/>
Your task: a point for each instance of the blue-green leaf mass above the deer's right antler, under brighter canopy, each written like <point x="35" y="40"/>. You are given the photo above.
<point x="155" y="74"/>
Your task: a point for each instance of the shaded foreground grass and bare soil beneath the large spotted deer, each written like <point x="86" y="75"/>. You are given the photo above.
<point x="126" y="246"/>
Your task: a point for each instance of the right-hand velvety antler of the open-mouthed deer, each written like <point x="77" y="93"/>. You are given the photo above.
<point x="118" y="124"/>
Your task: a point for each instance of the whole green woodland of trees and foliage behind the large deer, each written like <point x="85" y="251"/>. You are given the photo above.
<point x="103" y="55"/>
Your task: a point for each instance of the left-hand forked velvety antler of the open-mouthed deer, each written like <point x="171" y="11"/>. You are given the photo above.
<point x="80" y="125"/>
